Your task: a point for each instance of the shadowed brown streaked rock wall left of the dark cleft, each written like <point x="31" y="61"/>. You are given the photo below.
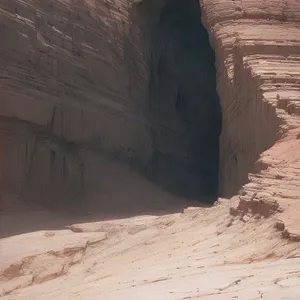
<point x="71" y="72"/>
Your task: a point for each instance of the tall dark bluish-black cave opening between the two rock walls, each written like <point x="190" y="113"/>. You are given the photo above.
<point x="184" y="108"/>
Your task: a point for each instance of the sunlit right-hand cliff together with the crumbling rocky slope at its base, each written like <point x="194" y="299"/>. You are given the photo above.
<point x="257" y="50"/>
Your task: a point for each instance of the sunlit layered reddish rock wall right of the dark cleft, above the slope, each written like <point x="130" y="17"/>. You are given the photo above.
<point x="257" y="47"/>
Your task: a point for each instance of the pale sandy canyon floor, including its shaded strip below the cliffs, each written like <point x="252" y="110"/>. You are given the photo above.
<point x="147" y="251"/>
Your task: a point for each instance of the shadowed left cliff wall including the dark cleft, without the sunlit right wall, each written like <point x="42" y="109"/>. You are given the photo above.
<point x="133" y="80"/>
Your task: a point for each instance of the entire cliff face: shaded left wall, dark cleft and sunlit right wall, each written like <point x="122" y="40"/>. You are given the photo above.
<point x="136" y="81"/>
